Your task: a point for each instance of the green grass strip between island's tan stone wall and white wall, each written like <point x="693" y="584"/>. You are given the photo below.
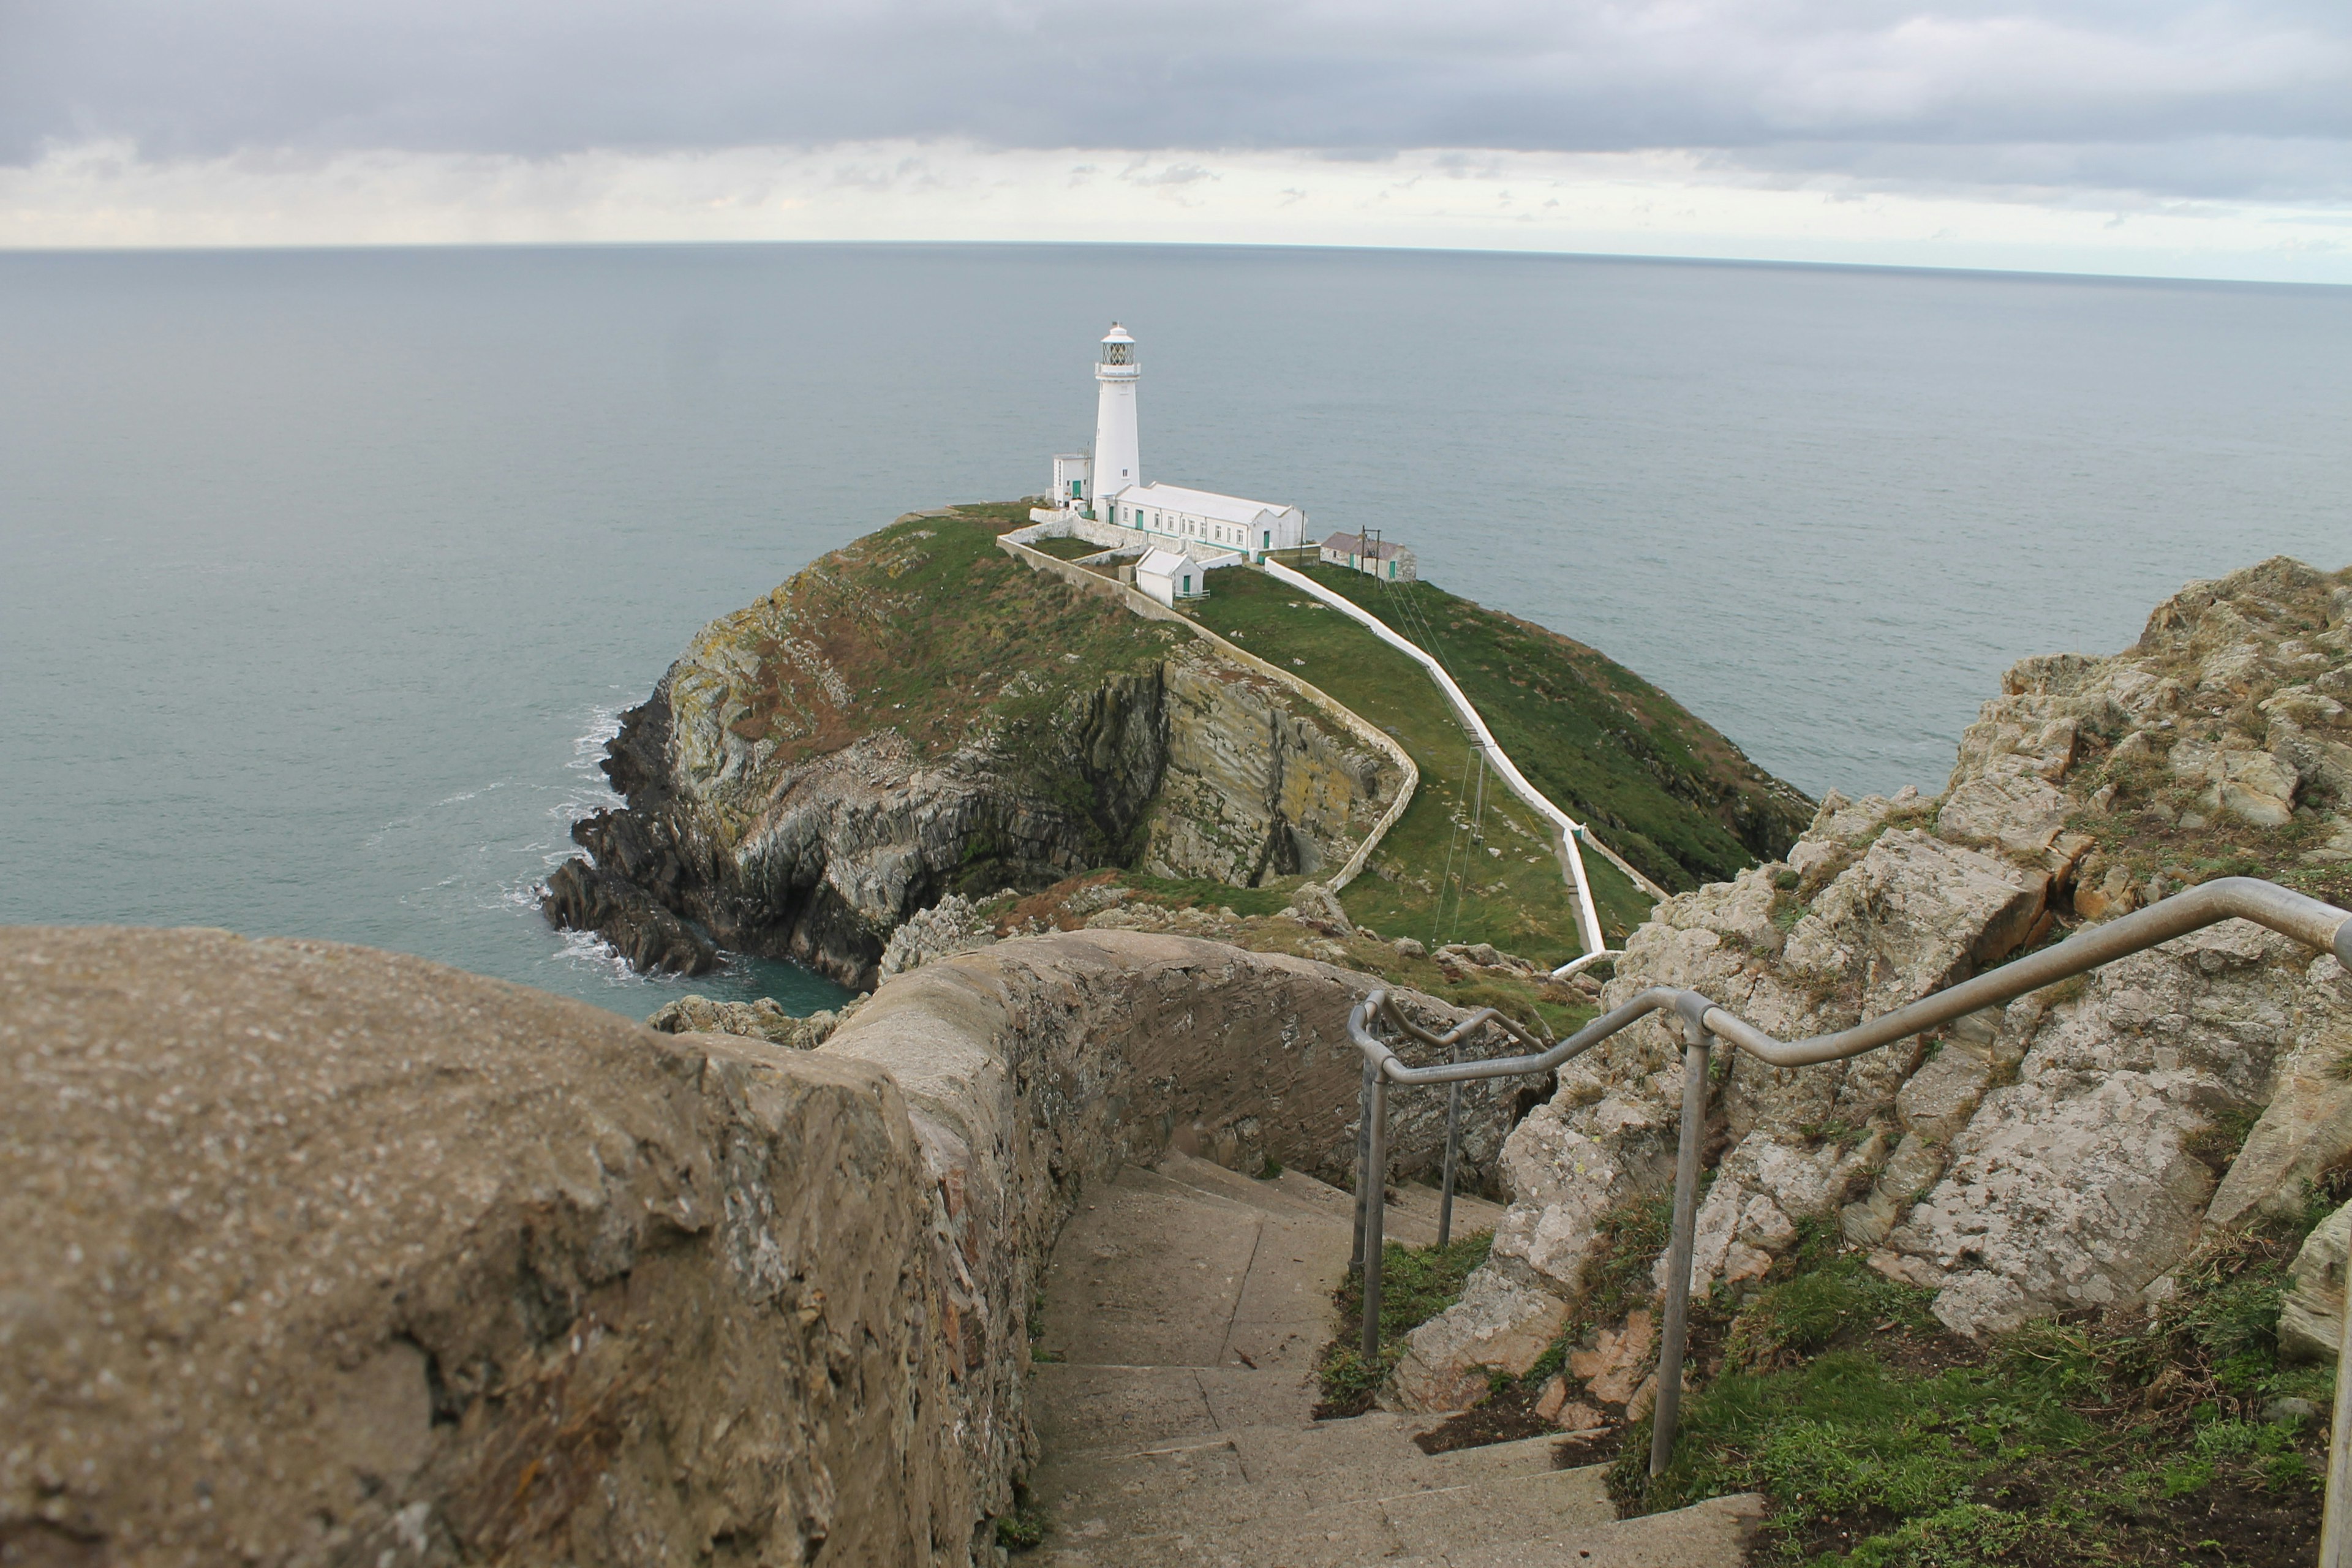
<point x="1518" y="897"/>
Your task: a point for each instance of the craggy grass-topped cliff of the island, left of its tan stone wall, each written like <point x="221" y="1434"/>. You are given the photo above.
<point x="918" y="716"/>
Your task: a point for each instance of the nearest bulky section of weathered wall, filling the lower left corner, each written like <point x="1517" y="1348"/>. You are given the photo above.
<point x="333" y="1257"/>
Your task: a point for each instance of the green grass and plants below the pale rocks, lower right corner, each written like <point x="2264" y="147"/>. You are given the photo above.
<point x="1876" y="1440"/>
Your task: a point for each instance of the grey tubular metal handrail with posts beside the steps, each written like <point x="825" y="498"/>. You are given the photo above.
<point x="1702" y="1021"/>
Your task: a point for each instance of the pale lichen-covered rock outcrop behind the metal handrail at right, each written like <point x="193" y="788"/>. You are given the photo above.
<point x="2064" y="1151"/>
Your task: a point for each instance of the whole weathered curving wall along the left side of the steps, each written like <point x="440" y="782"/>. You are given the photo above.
<point x="335" y="1257"/>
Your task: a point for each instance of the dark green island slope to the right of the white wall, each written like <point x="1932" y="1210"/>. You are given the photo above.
<point x="1657" y="784"/>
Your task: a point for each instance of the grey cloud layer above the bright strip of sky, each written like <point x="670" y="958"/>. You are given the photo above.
<point x="2167" y="98"/>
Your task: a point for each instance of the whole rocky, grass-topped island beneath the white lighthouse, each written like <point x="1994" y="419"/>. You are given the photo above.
<point x="918" y="716"/>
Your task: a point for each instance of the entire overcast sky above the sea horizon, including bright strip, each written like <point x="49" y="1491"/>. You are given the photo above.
<point x="2111" y="135"/>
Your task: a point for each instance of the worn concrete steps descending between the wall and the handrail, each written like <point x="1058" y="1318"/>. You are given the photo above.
<point x="1175" y="1400"/>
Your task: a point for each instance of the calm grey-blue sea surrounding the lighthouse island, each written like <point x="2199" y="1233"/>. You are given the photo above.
<point x="323" y="577"/>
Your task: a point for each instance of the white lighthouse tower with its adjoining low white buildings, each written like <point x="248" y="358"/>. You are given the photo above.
<point x="1102" y="497"/>
